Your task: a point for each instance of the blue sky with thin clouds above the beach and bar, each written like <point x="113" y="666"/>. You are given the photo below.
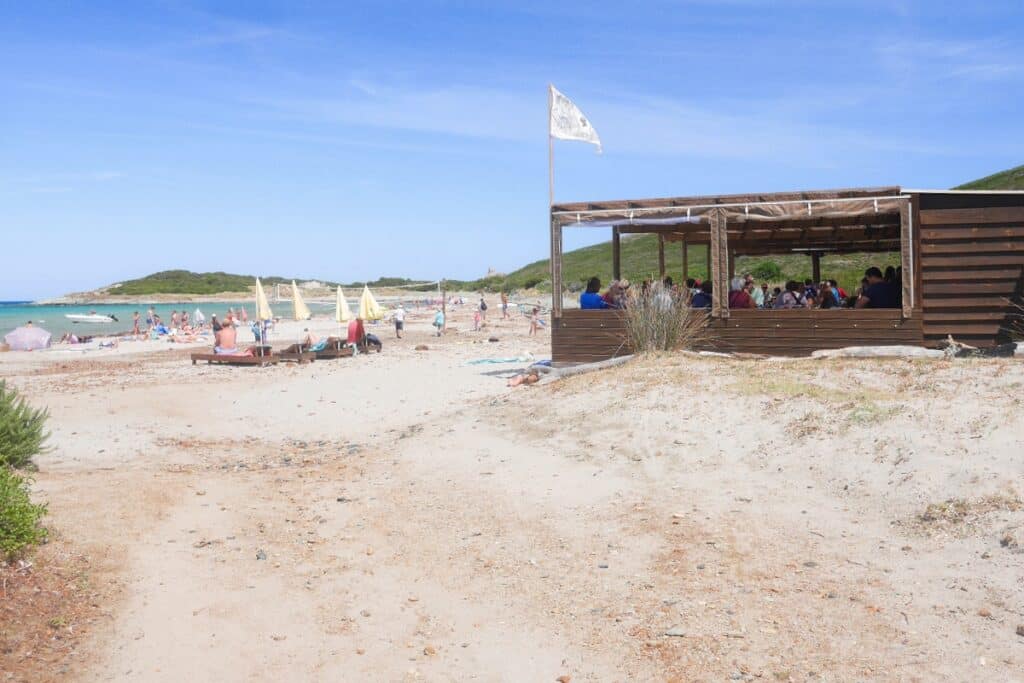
<point x="352" y="141"/>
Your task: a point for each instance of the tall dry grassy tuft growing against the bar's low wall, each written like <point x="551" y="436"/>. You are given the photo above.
<point x="661" y="320"/>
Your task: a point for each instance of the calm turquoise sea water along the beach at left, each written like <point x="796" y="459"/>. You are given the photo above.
<point x="52" y="318"/>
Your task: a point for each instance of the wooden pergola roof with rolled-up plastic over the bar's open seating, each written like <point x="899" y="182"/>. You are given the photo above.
<point x="837" y="221"/>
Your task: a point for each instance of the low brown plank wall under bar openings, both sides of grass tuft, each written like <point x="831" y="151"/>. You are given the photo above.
<point x="585" y="336"/>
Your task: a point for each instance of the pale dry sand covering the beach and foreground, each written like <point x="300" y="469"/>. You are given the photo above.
<point x="407" y="517"/>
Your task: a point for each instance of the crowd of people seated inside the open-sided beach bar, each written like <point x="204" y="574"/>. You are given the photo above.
<point x="878" y="290"/>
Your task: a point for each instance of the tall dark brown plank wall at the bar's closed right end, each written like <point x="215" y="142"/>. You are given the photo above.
<point x="972" y="264"/>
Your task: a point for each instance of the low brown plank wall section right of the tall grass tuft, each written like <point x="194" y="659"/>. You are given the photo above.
<point x="799" y="332"/>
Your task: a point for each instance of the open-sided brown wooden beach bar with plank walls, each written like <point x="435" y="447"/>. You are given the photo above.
<point x="962" y="255"/>
